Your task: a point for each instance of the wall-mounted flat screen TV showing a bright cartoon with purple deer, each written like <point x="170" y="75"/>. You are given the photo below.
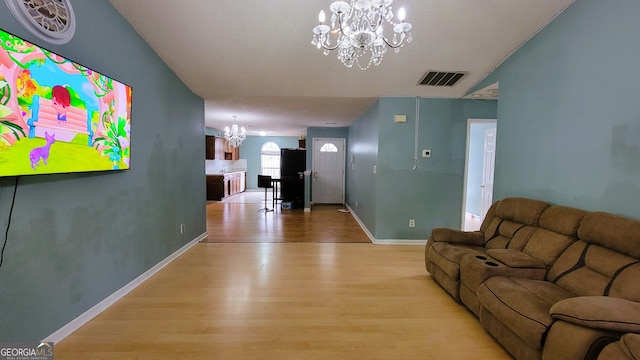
<point x="57" y="116"/>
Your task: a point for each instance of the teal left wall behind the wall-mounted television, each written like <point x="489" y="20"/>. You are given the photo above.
<point x="75" y="239"/>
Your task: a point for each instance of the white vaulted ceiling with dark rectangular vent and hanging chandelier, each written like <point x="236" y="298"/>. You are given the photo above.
<point x="254" y="59"/>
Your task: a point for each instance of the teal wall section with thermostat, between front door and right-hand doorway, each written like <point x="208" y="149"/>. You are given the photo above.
<point x="428" y="190"/>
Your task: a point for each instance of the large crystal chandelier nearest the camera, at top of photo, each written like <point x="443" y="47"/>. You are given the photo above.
<point x="358" y="30"/>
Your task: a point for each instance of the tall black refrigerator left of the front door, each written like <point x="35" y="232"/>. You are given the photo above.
<point x="293" y="163"/>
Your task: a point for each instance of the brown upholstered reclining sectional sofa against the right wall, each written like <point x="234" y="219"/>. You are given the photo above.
<point x="546" y="281"/>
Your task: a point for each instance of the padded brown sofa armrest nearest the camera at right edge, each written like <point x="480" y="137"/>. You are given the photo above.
<point x="599" y="312"/>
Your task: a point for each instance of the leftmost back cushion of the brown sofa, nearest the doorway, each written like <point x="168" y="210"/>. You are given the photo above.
<point x="514" y="222"/>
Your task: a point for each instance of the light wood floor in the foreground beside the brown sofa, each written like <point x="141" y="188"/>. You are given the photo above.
<point x="313" y="300"/>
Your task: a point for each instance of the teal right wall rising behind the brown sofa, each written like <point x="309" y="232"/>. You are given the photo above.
<point x="568" y="111"/>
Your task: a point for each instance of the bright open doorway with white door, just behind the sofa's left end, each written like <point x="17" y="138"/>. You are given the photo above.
<point x="479" y="171"/>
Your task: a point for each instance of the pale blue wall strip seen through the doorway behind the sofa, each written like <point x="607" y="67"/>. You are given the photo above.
<point x="475" y="165"/>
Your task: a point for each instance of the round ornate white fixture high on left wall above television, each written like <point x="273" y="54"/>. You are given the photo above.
<point x="50" y="20"/>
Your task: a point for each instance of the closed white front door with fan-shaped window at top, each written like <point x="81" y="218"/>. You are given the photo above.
<point x="328" y="171"/>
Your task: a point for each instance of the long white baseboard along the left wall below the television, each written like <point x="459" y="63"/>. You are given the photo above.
<point x="85" y="317"/>
